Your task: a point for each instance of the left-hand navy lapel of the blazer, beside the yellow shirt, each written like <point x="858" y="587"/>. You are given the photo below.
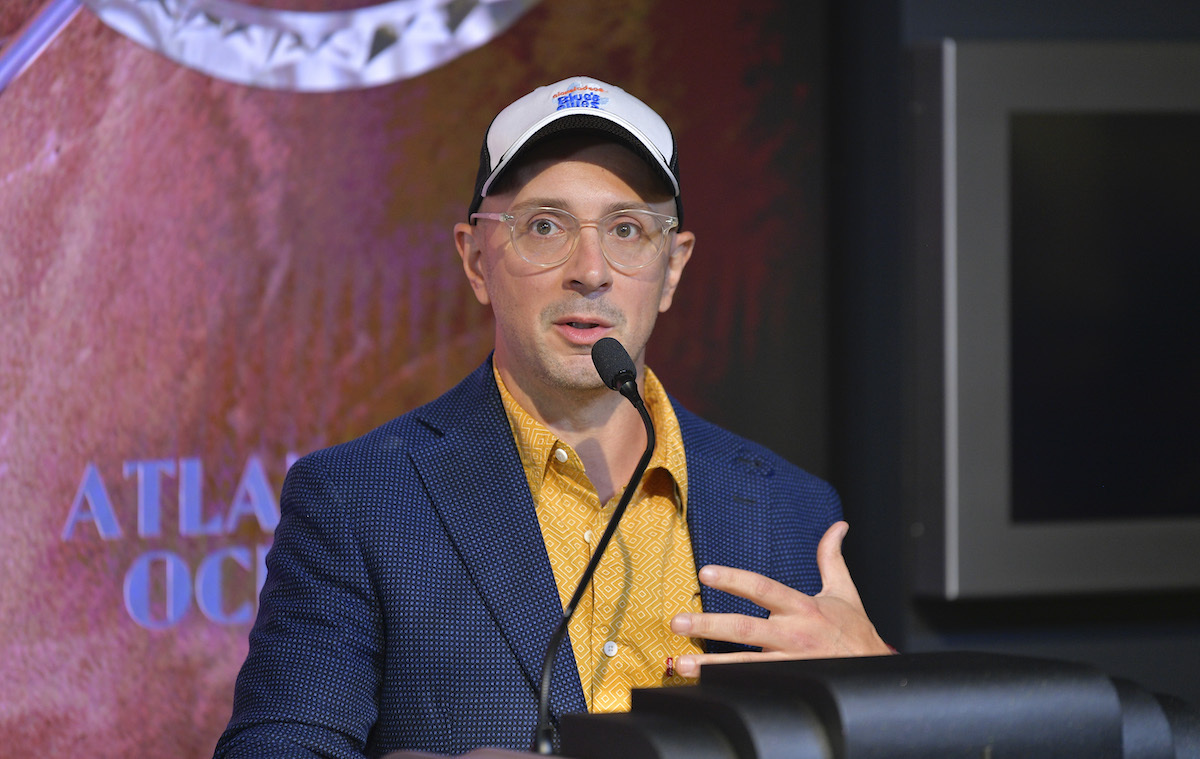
<point x="479" y="489"/>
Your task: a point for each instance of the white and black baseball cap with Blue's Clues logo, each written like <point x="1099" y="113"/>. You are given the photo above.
<point x="577" y="104"/>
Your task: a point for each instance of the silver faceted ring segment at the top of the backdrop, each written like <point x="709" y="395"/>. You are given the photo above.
<point x="311" y="52"/>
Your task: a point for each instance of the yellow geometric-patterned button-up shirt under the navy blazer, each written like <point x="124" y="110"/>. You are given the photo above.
<point x="621" y="631"/>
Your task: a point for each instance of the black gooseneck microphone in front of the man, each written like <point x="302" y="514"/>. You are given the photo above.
<point x="619" y="373"/>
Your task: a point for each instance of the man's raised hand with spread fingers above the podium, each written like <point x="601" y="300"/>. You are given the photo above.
<point x="832" y="624"/>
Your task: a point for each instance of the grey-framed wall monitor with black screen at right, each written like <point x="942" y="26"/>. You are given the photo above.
<point x="1057" y="301"/>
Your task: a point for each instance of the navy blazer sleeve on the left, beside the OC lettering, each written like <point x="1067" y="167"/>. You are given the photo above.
<point x="309" y="685"/>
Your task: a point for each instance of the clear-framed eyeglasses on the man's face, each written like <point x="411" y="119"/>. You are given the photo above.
<point x="547" y="237"/>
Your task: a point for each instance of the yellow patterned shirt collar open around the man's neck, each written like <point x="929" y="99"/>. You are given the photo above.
<point x="537" y="445"/>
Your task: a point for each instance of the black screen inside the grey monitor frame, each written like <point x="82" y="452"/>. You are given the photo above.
<point x="1106" y="315"/>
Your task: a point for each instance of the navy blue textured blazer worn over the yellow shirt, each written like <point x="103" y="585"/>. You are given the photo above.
<point x="410" y="599"/>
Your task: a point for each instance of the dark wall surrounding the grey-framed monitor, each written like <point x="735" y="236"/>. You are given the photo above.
<point x="1153" y="640"/>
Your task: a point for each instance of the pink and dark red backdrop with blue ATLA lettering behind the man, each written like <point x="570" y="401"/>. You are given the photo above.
<point x="201" y="279"/>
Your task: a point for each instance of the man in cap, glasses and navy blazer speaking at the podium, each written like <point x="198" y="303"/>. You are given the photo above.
<point x="418" y="572"/>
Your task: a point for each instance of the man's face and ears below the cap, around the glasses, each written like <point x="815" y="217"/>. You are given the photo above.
<point x="548" y="319"/>
